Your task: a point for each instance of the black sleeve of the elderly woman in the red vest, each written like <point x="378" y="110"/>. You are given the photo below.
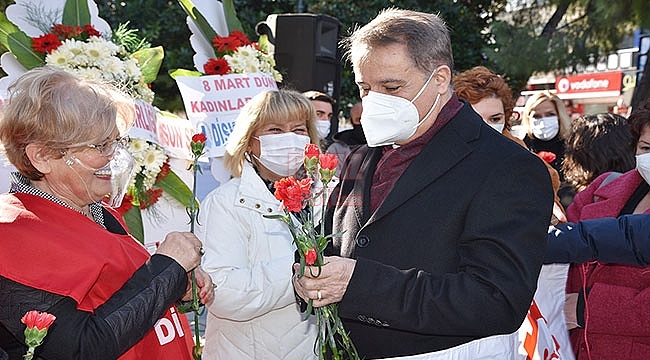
<point x="114" y="327"/>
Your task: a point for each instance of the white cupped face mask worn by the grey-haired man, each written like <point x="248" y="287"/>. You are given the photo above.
<point x="387" y="119"/>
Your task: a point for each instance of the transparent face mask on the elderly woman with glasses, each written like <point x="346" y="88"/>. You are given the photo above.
<point x="121" y="169"/>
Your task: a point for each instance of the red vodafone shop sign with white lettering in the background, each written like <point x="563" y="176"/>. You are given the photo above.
<point x="595" y="84"/>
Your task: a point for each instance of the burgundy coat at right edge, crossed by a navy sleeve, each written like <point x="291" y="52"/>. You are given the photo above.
<point x="616" y="311"/>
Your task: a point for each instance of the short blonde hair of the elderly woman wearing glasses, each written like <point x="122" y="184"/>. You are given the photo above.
<point x="59" y="110"/>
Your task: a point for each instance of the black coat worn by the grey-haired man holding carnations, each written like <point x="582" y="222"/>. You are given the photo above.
<point x="454" y="251"/>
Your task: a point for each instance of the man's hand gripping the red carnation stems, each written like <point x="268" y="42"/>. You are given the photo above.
<point x="329" y="286"/>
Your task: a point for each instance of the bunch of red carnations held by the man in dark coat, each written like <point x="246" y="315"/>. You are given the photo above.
<point x="306" y="199"/>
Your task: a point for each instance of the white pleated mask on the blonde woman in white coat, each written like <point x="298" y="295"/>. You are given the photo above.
<point x="282" y="153"/>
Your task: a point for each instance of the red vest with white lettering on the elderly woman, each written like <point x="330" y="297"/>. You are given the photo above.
<point x="56" y="249"/>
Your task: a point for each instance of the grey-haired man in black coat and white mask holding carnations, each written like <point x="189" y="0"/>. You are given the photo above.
<point x="444" y="220"/>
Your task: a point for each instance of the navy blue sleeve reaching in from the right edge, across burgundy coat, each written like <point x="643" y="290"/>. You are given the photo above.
<point x="624" y="240"/>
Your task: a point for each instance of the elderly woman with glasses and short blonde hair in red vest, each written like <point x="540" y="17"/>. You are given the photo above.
<point x="64" y="250"/>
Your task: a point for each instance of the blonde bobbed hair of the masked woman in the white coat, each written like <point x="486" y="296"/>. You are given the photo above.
<point x="267" y="106"/>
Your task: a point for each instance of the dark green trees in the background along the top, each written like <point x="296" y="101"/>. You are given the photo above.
<point x="550" y="36"/>
